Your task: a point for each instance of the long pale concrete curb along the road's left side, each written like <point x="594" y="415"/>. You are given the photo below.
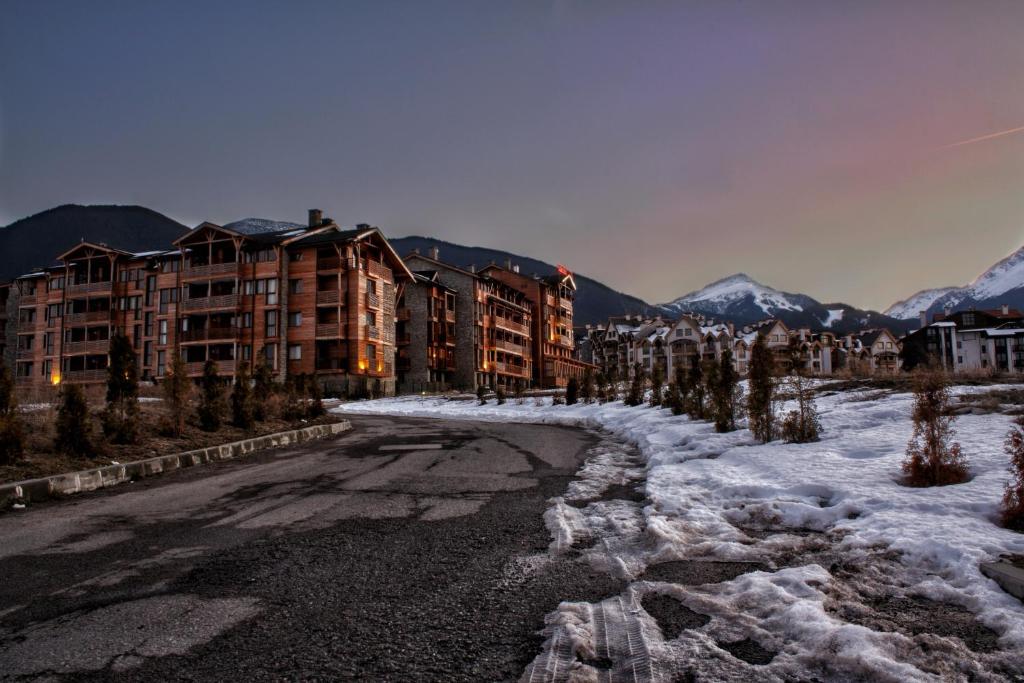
<point x="110" y="476"/>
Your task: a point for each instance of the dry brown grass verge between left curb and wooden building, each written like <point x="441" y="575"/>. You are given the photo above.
<point x="40" y="460"/>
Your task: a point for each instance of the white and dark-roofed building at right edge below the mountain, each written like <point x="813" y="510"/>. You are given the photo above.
<point x="969" y="341"/>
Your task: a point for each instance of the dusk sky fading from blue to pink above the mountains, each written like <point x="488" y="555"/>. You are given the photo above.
<point x="825" y="148"/>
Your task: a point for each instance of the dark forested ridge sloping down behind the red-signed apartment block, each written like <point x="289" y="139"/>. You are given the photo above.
<point x="594" y="304"/>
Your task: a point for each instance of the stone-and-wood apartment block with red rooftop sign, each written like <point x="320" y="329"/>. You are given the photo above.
<point x="462" y="328"/>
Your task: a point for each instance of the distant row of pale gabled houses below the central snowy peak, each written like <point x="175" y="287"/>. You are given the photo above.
<point x="664" y="345"/>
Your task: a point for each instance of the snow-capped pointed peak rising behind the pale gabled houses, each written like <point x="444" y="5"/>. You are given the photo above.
<point x="742" y="300"/>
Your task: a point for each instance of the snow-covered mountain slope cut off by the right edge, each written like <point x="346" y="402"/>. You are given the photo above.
<point x="1002" y="284"/>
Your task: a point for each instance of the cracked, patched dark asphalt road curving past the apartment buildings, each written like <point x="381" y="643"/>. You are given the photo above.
<point x="407" y="549"/>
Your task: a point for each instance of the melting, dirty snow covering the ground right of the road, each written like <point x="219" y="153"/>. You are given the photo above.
<point x="830" y="522"/>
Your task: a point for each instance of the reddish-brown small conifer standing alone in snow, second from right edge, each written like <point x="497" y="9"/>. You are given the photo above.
<point x="932" y="458"/>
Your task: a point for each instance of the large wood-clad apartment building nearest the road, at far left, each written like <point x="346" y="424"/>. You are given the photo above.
<point x="313" y="300"/>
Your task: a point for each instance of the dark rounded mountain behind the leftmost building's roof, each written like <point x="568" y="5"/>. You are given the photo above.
<point x="34" y="242"/>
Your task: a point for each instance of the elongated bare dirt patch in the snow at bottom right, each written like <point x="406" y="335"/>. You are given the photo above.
<point x="915" y="616"/>
